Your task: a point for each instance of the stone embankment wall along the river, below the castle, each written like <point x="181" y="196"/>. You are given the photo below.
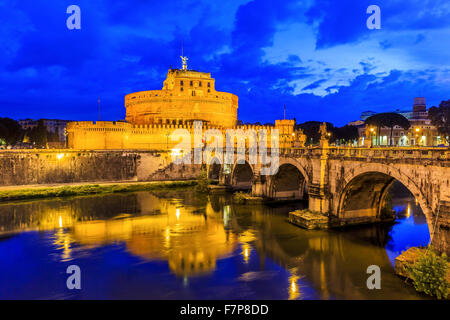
<point x="24" y="167"/>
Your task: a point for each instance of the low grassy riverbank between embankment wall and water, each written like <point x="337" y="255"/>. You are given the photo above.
<point x="26" y="192"/>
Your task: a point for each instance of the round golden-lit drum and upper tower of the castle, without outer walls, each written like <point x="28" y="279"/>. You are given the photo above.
<point x="187" y="95"/>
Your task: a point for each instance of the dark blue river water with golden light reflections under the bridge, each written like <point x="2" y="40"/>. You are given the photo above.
<point x="181" y="245"/>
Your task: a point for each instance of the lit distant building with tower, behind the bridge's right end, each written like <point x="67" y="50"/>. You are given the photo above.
<point x="421" y="132"/>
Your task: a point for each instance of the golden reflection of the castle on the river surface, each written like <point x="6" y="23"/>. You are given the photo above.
<point x="190" y="242"/>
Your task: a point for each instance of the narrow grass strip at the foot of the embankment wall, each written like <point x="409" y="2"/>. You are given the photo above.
<point x="80" y="190"/>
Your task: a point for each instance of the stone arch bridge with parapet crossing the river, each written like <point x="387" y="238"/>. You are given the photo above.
<point x="351" y="184"/>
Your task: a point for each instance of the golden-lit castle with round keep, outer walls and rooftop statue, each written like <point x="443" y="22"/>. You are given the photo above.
<point x="151" y="116"/>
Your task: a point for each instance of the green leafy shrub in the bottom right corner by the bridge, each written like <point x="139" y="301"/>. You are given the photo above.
<point x="429" y="272"/>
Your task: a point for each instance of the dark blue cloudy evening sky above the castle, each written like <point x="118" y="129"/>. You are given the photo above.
<point x="315" y="56"/>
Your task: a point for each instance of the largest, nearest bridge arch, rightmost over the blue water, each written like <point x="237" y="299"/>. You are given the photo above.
<point x="365" y="188"/>
